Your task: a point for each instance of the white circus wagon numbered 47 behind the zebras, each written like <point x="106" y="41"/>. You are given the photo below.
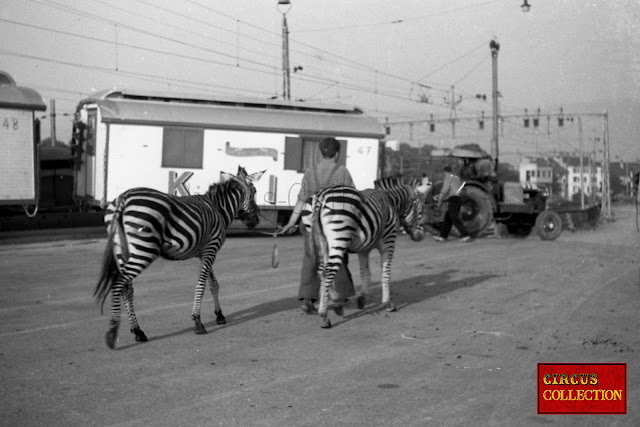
<point x="180" y="144"/>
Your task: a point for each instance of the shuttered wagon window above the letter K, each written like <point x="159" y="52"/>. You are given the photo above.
<point x="182" y="148"/>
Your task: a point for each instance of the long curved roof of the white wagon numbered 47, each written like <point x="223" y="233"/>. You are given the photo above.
<point x="234" y="113"/>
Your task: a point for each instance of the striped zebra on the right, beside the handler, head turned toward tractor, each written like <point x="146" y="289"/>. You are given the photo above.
<point x="344" y="220"/>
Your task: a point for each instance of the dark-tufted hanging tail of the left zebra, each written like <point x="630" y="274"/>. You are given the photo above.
<point x="110" y="267"/>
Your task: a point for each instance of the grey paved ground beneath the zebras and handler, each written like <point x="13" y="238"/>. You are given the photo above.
<point x="473" y="321"/>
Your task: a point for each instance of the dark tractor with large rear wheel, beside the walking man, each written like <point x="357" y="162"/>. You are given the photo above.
<point x="489" y="205"/>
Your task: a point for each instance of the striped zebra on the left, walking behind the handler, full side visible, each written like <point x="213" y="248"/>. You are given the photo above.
<point x="145" y="224"/>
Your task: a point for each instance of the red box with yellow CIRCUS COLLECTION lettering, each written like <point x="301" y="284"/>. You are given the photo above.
<point x="582" y="388"/>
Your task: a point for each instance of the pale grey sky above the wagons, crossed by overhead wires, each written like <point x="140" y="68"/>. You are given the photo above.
<point x="406" y="63"/>
